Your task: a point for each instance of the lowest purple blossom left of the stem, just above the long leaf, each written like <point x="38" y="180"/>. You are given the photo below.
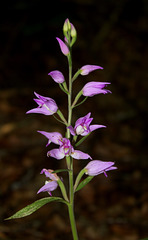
<point x="51" y="184"/>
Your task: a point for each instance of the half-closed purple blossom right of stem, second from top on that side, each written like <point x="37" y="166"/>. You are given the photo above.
<point x="93" y="88"/>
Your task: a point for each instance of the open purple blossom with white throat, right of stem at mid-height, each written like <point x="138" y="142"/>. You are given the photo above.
<point x="82" y="126"/>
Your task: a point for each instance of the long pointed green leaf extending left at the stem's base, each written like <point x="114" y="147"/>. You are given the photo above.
<point x="35" y="206"/>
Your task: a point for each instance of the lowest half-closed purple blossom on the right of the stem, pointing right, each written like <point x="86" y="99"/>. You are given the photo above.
<point x="97" y="167"/>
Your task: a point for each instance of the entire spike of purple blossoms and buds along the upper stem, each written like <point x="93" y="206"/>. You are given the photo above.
<point x="82" y="128"/>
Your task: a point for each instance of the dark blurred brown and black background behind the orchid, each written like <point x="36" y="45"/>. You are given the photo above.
<point x="112" y="34"/>
